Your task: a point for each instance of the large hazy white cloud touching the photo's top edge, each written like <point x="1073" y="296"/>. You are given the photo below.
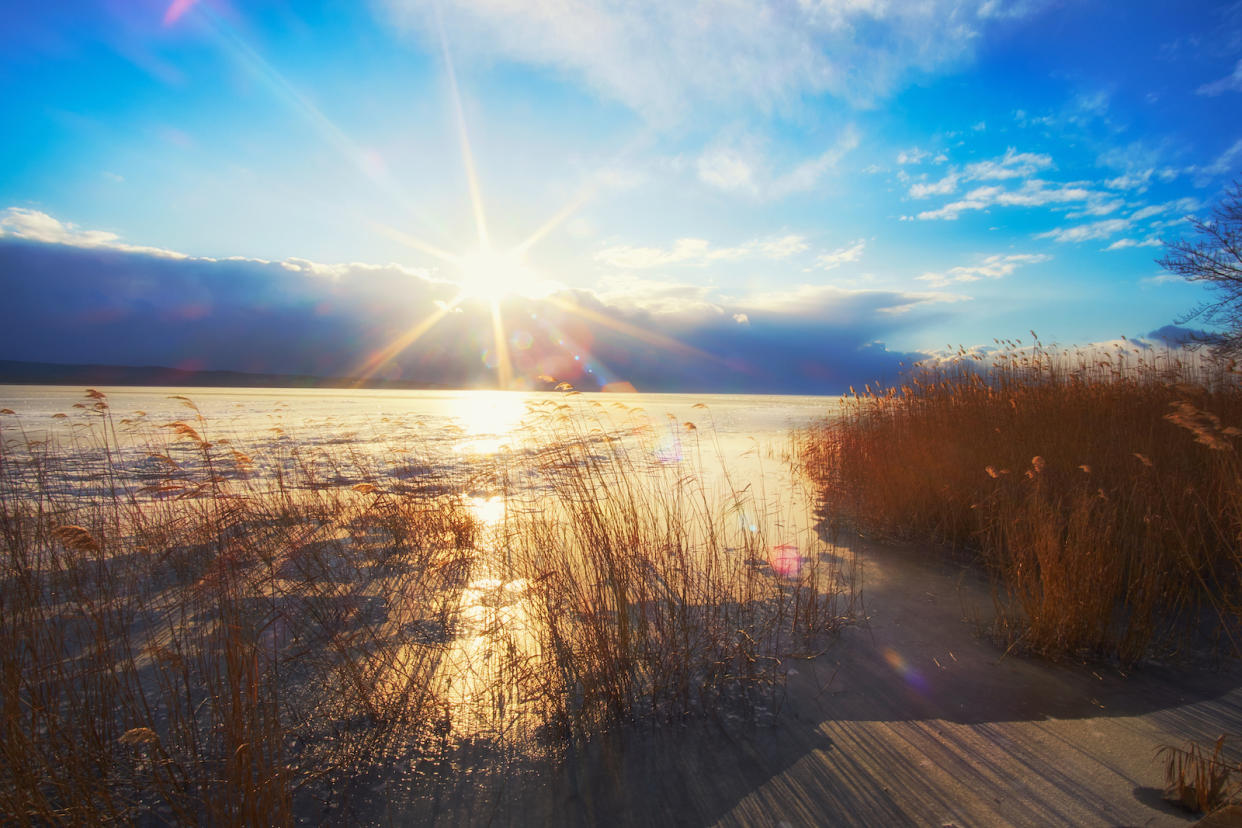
<point x="661" y="58"/>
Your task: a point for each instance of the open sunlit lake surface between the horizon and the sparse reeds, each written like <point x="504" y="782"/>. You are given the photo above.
<point x="733" y="443"/>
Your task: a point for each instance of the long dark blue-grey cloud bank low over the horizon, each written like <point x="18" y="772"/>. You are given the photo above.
<point x="88" y="297"/>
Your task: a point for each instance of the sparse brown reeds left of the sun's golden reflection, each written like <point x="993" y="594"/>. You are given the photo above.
<point x="186" y="640"/>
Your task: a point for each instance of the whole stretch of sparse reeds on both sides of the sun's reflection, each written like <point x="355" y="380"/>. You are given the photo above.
<point x="199" y="626"/>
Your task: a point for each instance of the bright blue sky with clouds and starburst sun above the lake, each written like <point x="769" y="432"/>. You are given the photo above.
<point x="799" y="193"/>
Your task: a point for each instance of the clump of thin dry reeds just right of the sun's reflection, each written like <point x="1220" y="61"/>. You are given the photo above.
<point x="664" y="590"/>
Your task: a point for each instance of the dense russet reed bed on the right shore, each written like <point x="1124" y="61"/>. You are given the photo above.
<point x="1101" y="490"/>
